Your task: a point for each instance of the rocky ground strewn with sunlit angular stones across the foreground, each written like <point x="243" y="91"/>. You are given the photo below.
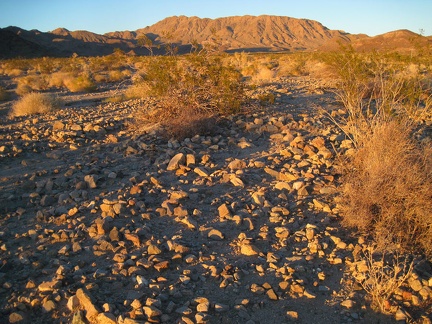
<point x="101" y="222"/>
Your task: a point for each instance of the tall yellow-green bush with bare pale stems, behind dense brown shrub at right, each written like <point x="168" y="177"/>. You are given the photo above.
<point x="374" y="87"/>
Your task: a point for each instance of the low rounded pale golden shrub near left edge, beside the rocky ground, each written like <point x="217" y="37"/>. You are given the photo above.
<point x="35" y="103"/>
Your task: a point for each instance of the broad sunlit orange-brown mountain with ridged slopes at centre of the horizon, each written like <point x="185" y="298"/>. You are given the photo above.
<point x="249" y="32"/>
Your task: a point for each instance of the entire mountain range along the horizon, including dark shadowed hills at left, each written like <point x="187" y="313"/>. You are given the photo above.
<point x="238" y="33"/>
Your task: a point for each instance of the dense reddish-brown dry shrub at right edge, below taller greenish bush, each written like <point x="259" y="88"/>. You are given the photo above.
<point x="387" y="191"/>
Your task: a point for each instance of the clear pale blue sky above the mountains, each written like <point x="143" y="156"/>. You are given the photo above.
<point x="371" y="17"/>
